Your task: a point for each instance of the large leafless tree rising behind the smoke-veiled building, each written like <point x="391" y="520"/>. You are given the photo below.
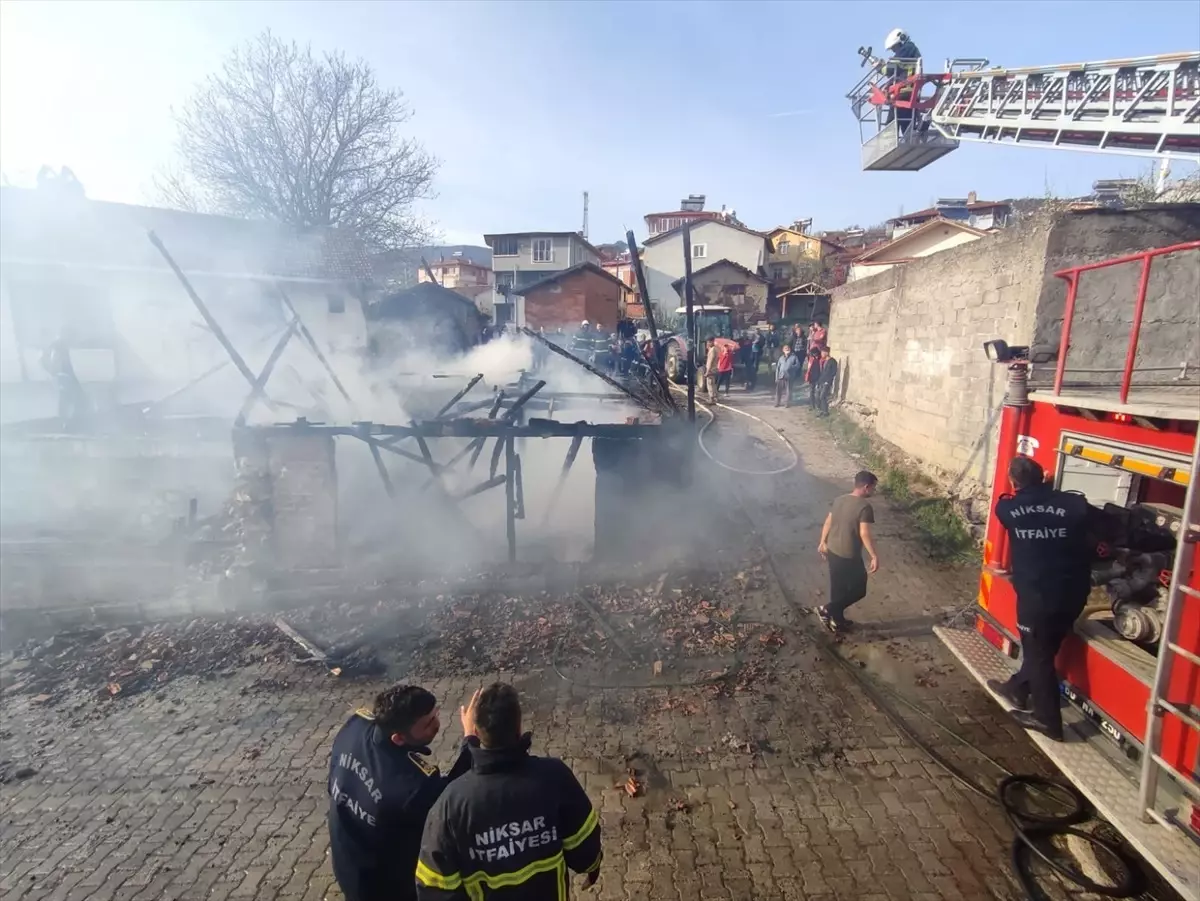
<point x="284" y="135"/>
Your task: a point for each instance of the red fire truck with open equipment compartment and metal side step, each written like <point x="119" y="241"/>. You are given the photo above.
<point x="1132" y="669"/>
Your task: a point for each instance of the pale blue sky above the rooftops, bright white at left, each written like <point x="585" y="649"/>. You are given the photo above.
<point x="531" y="104"/>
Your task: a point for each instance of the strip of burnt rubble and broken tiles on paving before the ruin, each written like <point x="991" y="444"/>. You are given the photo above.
<point x="686" y="632"/>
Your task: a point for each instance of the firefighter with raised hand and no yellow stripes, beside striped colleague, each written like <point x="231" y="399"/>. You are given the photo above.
<point x="381" y="790"/>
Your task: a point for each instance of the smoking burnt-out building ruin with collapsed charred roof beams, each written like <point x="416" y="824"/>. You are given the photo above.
<point x="497" y="476"/>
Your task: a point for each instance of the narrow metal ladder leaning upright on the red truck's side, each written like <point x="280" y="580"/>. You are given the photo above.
<point x="1171" y="653"/>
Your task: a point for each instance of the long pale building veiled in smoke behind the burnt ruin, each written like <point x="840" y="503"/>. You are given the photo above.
<point x="86" y="273"/>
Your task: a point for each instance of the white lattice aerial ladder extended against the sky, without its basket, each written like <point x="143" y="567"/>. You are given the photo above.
<point x="1143" y="107"/>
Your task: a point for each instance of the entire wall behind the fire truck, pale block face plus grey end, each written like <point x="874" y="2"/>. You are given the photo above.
<point x="911" y="340"/>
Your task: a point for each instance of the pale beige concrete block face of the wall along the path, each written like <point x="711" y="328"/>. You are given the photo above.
<point x="911" y="345"/>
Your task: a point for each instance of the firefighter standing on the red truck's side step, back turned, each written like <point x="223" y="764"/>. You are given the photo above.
<point x="1052" y="575"/>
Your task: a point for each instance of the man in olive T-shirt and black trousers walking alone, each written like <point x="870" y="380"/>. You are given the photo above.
<point x="845" y="534"/>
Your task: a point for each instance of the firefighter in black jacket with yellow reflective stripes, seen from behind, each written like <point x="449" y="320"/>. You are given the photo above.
<point x="512" y="828"/>
